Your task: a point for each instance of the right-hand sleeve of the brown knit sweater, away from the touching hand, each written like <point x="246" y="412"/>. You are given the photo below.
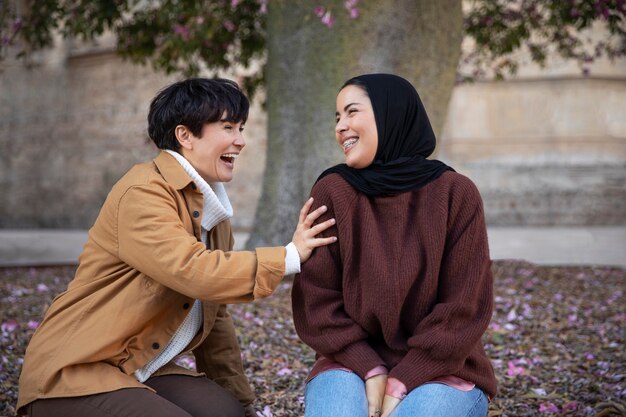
<point x="444" y="339"/>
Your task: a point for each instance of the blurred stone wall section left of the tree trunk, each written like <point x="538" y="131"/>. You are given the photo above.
<point x="74" y="123"/>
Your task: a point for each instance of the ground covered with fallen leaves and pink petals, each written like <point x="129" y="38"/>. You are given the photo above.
<point x="557" y="340"/>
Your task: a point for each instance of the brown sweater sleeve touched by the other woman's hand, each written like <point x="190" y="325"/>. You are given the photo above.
<point x="317" y="299"/>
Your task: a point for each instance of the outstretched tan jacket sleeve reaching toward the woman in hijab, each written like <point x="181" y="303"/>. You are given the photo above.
<point x="152" y="239"/>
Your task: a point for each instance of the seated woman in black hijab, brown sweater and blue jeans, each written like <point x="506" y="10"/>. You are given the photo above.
<point x="395" y="310"/>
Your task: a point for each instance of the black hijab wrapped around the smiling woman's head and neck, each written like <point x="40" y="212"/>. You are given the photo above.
<point x="405" y="140"/>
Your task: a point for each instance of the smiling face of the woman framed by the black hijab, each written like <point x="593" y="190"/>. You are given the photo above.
<point x="356" y="130"/>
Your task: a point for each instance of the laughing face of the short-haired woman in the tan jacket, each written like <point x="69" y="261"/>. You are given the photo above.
<point x="213" y="154"/>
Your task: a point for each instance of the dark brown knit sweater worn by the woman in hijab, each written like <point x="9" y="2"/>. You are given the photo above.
<point x="408" y="285"/>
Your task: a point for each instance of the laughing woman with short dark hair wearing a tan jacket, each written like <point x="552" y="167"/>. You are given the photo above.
<point x="155" y="275"/>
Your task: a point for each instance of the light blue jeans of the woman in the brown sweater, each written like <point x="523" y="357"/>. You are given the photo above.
<point x="338" y="393"/>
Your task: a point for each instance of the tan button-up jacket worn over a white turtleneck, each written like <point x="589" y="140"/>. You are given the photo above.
<point x="140" y="271"/>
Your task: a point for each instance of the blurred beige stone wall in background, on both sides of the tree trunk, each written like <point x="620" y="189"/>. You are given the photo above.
<point x="545" y="148"/>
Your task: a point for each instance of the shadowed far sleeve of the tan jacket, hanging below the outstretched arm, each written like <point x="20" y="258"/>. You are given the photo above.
<point x="219" y="357"/>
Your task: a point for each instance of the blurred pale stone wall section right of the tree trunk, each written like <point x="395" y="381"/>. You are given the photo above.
<point x="546" y="148"/>
